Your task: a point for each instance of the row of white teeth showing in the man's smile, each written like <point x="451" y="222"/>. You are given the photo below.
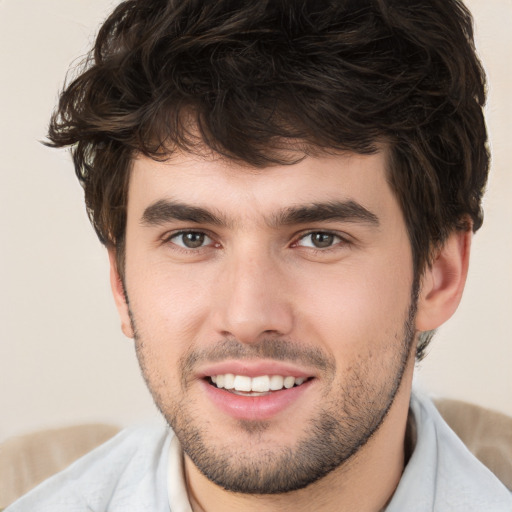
<point x="255" y="386"/>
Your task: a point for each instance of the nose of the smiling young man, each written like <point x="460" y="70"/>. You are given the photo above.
<point x="253" y="299"/>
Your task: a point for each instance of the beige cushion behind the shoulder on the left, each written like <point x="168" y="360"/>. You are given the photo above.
<point x="27" y="460"/>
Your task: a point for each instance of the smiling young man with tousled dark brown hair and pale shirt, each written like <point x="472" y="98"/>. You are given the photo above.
<point x="287" y="192"/>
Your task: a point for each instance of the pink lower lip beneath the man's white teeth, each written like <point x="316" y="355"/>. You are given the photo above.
<point x="255" y="408"/>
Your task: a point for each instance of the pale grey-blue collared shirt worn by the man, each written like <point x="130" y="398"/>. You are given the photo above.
<point x="141" y="470"/>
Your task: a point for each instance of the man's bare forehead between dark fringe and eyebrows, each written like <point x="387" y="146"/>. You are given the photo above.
<point x="238" y="190"/>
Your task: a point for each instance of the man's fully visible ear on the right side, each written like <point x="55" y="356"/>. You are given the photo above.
<point x="443" y="282"/>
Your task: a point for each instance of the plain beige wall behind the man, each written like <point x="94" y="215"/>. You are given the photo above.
<point x="63" y="359"/>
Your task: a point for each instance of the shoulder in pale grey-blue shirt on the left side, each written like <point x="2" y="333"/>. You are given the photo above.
<point x="132" y="463"/>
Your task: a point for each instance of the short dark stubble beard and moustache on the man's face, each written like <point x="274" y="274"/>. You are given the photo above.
<point x="340" y="428"/>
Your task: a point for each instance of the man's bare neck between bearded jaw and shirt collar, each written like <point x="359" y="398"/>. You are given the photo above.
<point x="366" y="482"/>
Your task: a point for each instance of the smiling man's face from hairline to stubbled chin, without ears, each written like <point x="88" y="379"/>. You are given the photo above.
<point x="272" y="310"/>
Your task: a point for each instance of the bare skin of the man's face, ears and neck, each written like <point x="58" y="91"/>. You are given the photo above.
<point x="255" y="281"/>
